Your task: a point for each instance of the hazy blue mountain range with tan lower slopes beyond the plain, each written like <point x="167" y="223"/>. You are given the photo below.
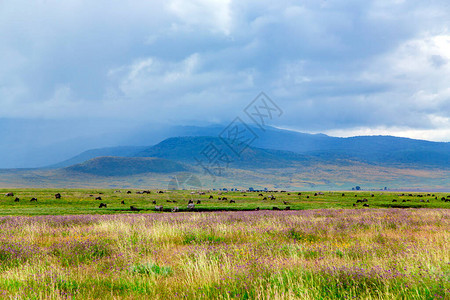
<point x="276" y="157"/>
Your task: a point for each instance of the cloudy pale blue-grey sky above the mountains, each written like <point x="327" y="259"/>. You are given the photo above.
<point x="337" y="67"/>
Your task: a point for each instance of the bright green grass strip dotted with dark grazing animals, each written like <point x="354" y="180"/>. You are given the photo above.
<point x="83" y="201"/>
